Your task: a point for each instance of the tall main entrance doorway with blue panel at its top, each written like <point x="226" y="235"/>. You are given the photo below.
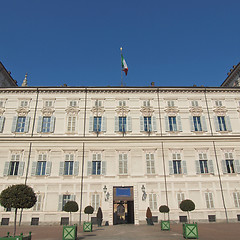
<point x="123" y="205"/>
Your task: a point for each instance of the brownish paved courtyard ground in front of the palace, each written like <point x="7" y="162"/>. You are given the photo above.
<point x="213" y="231"/>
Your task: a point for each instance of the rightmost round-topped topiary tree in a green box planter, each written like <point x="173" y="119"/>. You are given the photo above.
<point x="190" y="230"/>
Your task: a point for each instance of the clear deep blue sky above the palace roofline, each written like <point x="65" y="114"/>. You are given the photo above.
<point x="171" y="43"/>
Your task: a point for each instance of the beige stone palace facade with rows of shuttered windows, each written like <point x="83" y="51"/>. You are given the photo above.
<point x="162" y="144"/>
